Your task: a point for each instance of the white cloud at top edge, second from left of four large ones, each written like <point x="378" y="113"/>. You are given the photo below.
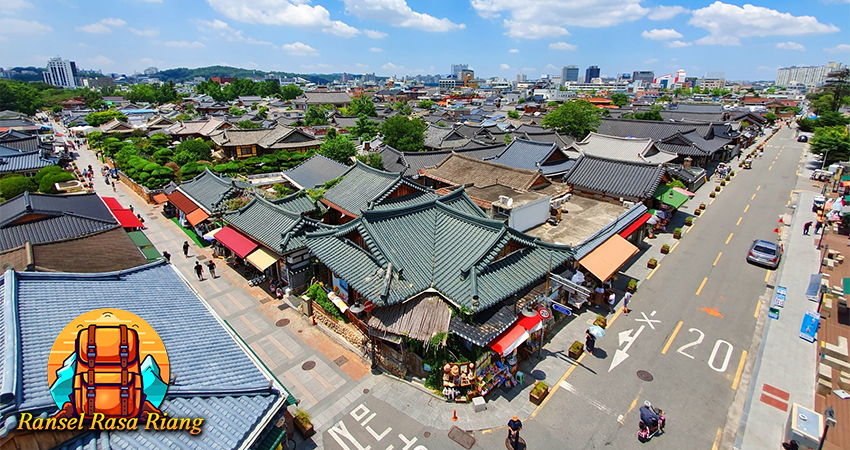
<point x="399" y="14"/>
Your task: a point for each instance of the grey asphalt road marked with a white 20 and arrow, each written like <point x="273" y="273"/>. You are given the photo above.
<point x="692" y="320"/>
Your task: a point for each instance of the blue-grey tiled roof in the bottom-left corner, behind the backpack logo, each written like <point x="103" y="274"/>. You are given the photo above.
<point x="233" y="402"/>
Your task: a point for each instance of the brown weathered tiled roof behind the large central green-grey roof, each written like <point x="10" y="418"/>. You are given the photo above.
<point x="462" y="170"/>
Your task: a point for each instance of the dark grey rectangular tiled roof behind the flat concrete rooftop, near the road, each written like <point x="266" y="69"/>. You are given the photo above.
<point x="615" y="178"/>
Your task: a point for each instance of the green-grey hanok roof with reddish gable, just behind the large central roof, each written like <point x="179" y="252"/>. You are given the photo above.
<point x="364" y="188"/>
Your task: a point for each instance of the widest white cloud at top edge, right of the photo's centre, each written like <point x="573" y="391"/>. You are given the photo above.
<point x="548" y="18"/>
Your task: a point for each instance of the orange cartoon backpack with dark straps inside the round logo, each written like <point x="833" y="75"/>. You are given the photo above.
<point x="108" y="377"/>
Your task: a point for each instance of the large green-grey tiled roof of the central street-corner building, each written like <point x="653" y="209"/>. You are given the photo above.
<point x="434" y="246"/>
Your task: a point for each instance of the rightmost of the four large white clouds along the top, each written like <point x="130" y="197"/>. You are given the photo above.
<point x="728" y="24"/>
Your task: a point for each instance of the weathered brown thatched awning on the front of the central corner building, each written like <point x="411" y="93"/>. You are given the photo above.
<point x="419" y="319"/>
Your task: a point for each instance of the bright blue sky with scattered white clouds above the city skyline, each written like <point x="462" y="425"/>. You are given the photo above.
<point x="398" y="37"/>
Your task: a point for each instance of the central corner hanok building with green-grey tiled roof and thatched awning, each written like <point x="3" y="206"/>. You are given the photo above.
<point x="446" y="254"/>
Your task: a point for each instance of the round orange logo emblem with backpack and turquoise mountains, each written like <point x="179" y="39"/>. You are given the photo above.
<point x="108" y="364"/>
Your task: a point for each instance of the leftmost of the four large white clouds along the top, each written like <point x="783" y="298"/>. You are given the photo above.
<point x="296" y="13"/>
